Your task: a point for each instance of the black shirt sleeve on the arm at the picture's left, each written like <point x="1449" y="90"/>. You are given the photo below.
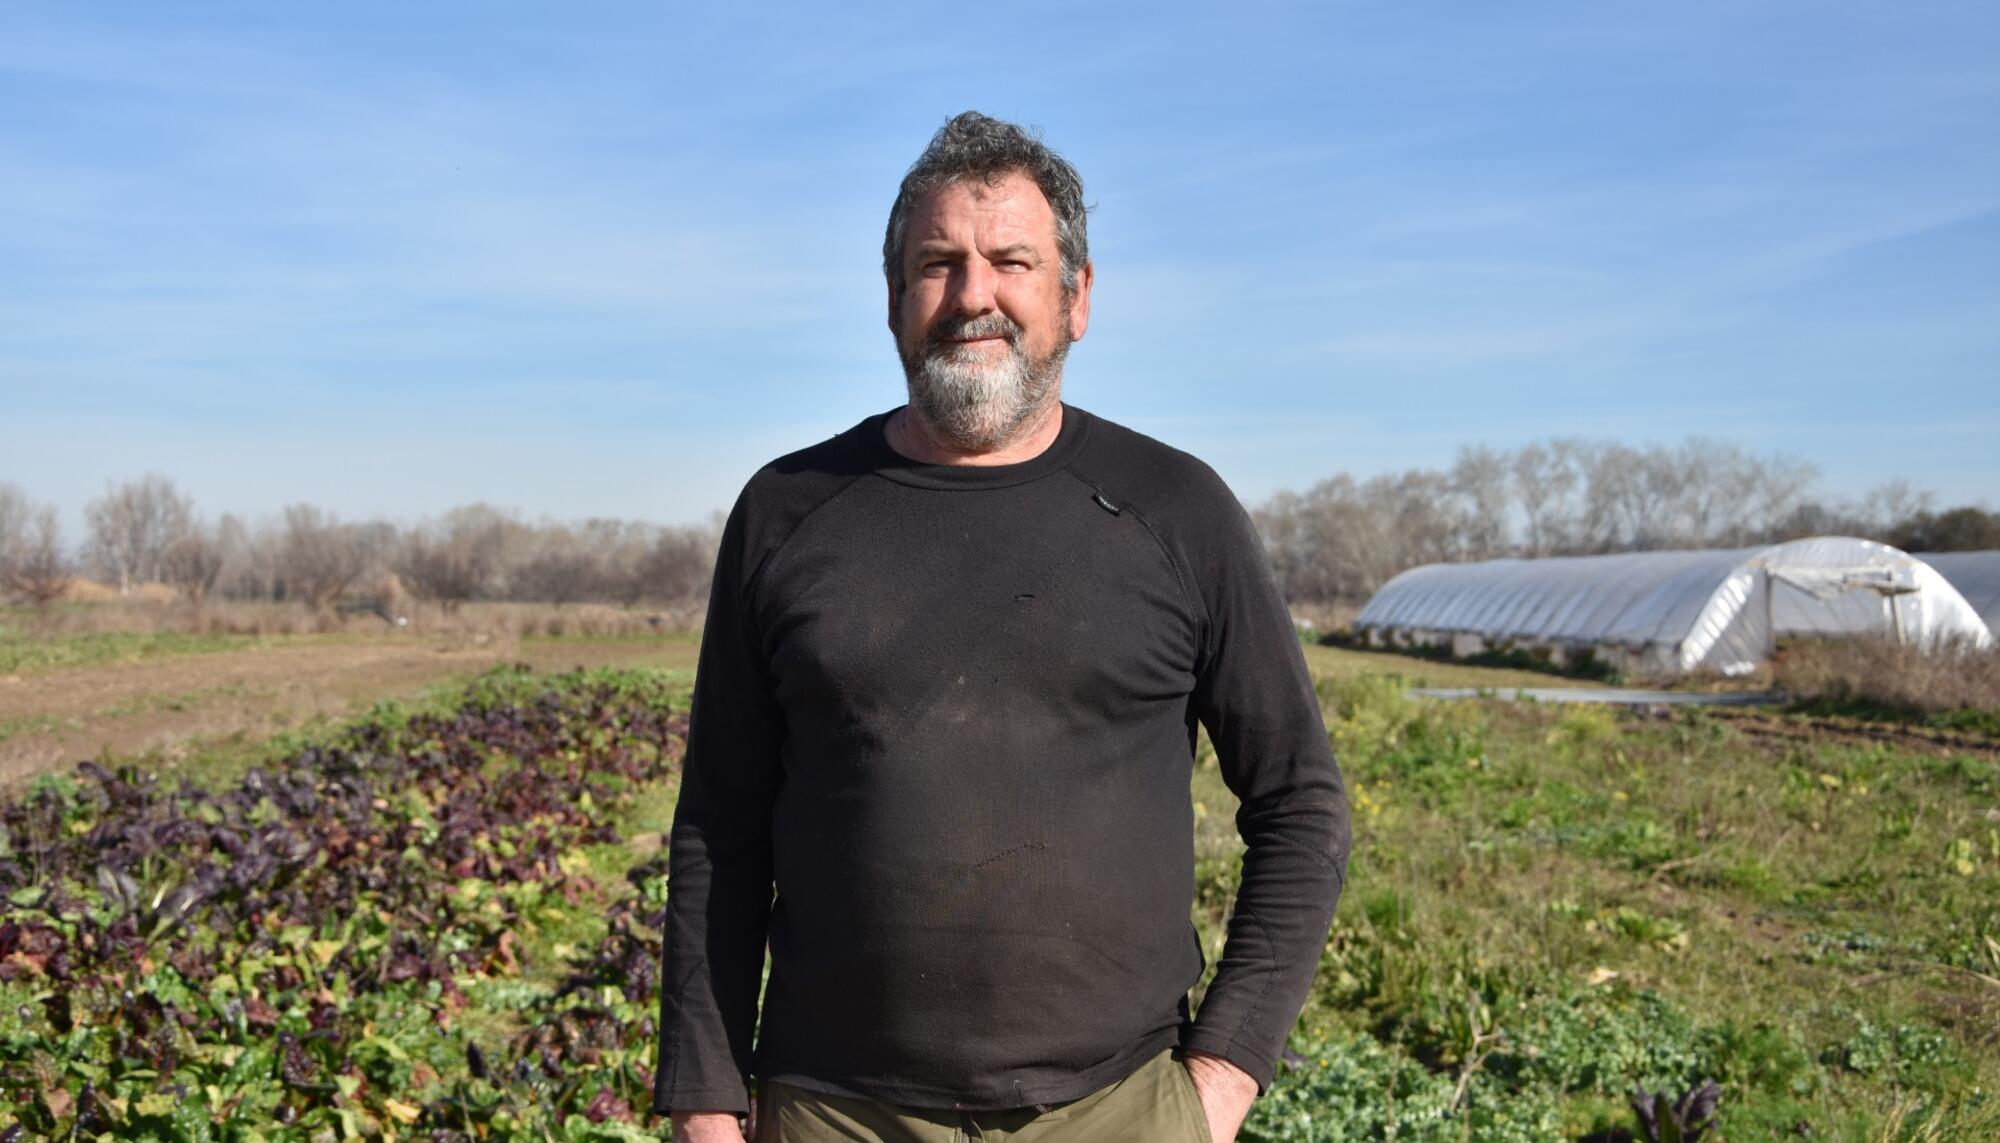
<point x="721" y="860"/>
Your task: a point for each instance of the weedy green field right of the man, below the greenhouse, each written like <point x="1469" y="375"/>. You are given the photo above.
<point x="1551" y="906"/>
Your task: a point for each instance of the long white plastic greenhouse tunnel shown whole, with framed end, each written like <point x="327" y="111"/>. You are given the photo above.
<point x="1673" y="612"/>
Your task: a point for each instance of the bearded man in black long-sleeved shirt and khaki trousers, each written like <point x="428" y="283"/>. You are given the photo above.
<point x="945" y="722"/>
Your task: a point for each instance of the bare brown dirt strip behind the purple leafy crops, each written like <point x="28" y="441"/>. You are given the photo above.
<point x="51" y="720"/>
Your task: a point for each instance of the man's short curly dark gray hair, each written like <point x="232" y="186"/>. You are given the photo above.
<point x="979" y="147"/>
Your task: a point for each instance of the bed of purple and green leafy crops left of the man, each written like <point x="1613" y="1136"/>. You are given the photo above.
<point x="345" y="946"/>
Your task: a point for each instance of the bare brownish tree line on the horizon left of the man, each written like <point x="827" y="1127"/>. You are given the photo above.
<point x="149" y="533"/>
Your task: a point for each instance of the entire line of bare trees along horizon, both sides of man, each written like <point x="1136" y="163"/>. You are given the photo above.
<point x="1335" y="543"/>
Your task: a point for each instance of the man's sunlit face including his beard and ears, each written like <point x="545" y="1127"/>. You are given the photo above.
<point x="983" y="321"/>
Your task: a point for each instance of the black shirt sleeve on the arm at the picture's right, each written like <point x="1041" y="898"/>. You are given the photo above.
<point x="1255" y="696"/>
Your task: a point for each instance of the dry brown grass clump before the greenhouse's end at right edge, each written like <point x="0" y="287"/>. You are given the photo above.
<point x="1891" y="676"/>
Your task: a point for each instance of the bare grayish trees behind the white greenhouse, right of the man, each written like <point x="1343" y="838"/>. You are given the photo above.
<point x="1343" y="539"/>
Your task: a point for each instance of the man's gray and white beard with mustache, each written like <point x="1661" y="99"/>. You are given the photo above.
<point x="967" y="403"/>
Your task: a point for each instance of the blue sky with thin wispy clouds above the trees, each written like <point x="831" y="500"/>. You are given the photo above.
<point x="605" y="261"/>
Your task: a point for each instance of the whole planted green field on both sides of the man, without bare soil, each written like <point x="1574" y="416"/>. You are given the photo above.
<point x="439" y="920"/>
